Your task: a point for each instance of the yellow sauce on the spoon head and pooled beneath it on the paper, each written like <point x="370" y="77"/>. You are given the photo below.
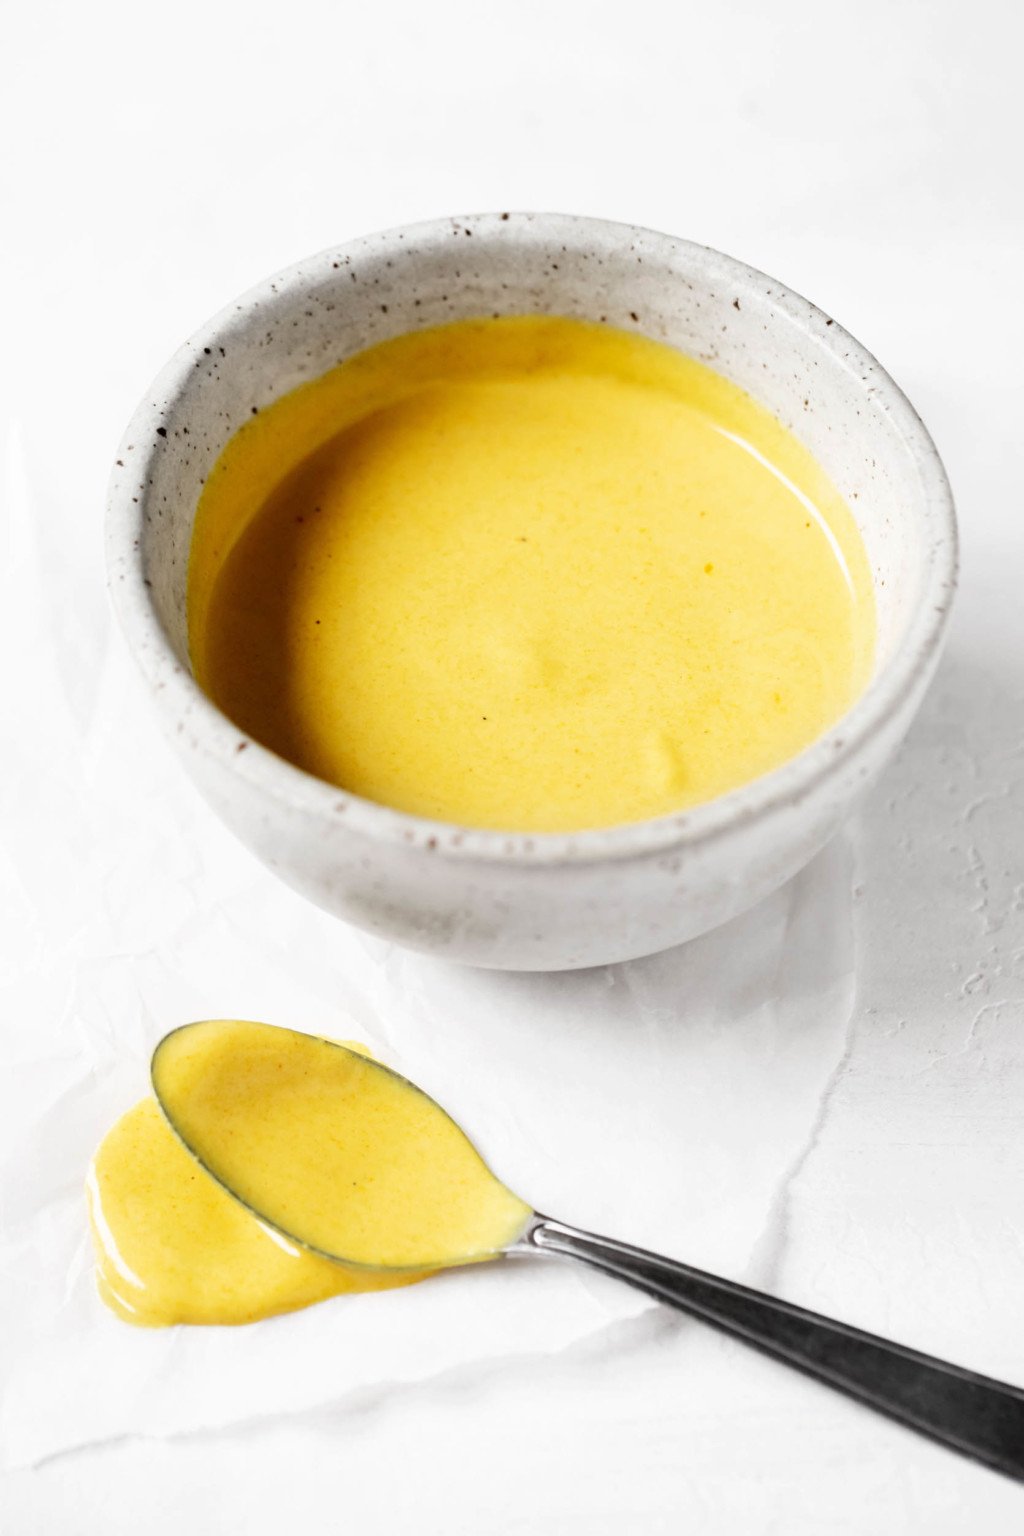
<point x="334" y="1150"/>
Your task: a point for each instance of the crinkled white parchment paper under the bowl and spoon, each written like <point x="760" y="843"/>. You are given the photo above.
<point x="664" y="1102"/>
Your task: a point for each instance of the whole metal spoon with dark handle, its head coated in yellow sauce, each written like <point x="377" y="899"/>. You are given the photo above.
<point x="202" y="1071"/>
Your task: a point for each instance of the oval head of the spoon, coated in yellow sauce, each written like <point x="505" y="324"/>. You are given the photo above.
<point x="285" y="1122"/>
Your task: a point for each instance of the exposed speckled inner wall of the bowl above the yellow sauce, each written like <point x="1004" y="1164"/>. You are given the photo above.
<point x="775" y="345"/>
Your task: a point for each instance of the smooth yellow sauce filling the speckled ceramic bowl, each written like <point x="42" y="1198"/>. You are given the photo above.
<point x="527" y="574"/>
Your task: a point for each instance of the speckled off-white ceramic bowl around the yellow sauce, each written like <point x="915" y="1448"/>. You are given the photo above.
<point x="510" y="901"/>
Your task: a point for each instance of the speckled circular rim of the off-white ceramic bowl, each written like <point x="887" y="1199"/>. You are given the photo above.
<point x="213" y="733"/>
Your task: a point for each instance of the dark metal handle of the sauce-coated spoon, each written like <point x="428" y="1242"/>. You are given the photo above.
<point x="971" y="1414"/>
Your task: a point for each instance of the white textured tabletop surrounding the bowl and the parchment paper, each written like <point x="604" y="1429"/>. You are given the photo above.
<point x="159" y="161"/>
